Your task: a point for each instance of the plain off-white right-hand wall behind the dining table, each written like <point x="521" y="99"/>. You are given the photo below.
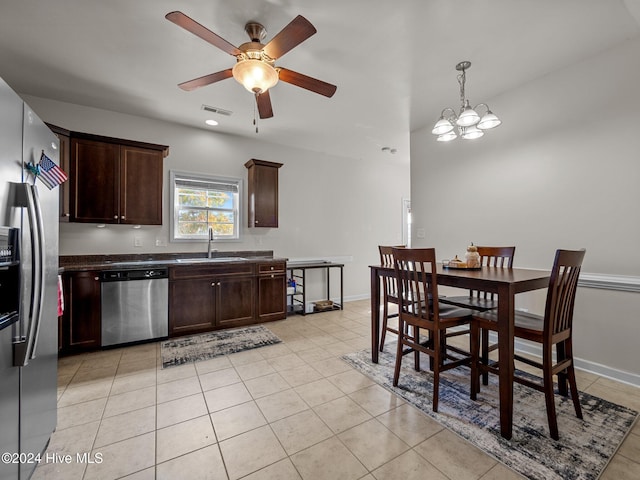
<point x="563" y="171"/>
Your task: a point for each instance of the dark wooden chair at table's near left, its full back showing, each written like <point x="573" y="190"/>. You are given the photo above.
<point x="417" y="280"/>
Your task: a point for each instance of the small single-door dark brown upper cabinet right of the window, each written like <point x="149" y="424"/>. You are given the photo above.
<point x="263" y="193"/>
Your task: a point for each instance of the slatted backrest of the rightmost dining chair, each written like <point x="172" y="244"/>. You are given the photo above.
<point x="561" y="294"/>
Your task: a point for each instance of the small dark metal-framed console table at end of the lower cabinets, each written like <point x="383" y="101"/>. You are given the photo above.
<point x="298" y="272"/>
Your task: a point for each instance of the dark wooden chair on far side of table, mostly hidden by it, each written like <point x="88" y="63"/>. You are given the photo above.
<point x="497" y="257"/>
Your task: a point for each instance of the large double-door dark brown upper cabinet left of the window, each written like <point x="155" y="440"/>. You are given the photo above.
<point x="115" y="180"/>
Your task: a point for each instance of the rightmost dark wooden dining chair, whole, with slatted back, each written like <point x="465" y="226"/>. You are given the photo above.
<point x="553" y="329"/>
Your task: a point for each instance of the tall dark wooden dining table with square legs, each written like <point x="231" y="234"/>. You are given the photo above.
<point x="506" y="283"/>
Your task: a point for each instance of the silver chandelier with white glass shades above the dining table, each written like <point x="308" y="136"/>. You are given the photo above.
<point x="468" y="123"/>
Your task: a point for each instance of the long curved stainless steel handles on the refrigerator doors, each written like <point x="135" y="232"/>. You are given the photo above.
<point x="25" y="348"/>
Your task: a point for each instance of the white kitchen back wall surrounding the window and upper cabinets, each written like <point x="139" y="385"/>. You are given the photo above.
<point x="330" y="207"/>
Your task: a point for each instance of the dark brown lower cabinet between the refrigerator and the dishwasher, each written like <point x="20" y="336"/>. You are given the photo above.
<point x="81" y="318"/>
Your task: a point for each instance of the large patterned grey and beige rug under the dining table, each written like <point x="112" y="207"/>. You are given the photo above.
<point x="583" y="451"/>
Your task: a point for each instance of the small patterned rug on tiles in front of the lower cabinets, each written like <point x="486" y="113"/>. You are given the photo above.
<point x="209" y="345"/>
